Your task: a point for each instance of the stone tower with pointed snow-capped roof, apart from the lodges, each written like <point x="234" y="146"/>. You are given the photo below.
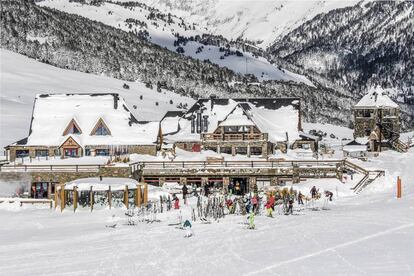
<point x="377" y="122"/>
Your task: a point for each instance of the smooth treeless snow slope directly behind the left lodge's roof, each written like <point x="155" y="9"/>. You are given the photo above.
<point x="22" y="78"/>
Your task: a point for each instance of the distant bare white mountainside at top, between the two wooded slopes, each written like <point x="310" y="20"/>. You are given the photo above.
<point x="260" y="21"/>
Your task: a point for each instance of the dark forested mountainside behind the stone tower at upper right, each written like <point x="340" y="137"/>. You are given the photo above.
<point x="369" y="44"/>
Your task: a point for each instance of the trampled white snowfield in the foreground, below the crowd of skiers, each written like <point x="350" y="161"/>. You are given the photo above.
<point x="371" y="233"/>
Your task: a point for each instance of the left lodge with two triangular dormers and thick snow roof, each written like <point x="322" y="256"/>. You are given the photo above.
<point x="75" y="125"/>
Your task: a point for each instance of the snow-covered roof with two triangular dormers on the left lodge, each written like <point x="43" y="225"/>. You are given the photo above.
<point x="52" y="113"/>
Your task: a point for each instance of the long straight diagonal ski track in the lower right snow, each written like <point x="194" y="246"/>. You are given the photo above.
<point x="333" y="248"/>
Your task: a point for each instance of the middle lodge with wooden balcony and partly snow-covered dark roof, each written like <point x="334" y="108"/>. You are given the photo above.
<point x="255" y="126"/>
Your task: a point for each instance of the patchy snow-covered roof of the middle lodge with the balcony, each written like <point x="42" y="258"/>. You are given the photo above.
<point x="275" y="116"/>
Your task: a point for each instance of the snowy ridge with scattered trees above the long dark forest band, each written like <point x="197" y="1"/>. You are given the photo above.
<point x="167" y="30"/>
